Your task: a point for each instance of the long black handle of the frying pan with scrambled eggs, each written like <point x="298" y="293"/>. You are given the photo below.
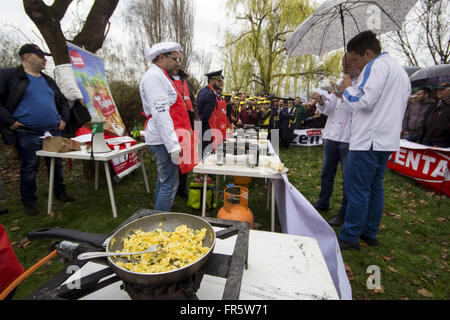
<point x="94" y="239"/>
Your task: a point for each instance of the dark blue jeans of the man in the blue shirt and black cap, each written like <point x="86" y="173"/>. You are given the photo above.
<point x="28" y="143"/>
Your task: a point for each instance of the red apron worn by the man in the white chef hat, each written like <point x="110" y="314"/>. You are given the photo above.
<point x="182" y="125"/>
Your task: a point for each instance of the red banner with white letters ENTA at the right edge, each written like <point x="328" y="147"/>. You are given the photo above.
<point x="428" y="166"/>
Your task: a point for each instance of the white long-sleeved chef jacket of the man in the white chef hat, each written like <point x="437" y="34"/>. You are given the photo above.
<point x="158" y="95"/>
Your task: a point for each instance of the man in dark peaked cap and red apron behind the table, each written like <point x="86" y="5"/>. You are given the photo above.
<point x="212" y="111"/>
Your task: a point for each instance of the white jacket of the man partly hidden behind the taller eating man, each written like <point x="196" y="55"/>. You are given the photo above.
<point x="339" y="120"/>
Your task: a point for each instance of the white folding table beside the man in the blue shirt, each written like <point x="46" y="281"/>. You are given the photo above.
<point x="97" y="157"/>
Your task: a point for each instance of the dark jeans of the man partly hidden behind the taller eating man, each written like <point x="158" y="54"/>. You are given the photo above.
<point x="333" y="153"/>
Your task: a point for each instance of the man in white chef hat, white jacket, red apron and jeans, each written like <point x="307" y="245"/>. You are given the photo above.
<point x="168" y="130"/>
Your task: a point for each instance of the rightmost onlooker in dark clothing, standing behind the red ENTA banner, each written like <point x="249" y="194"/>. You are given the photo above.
<point x="437" y="124"/>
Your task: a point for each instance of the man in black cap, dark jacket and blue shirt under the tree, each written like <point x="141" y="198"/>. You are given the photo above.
<point x="31" y="104"/>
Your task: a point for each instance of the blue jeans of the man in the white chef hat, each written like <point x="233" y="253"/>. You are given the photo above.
<point x="167" y="179"/>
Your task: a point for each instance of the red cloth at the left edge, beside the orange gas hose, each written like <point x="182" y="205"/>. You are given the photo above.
<point x="10" y="267"/>
